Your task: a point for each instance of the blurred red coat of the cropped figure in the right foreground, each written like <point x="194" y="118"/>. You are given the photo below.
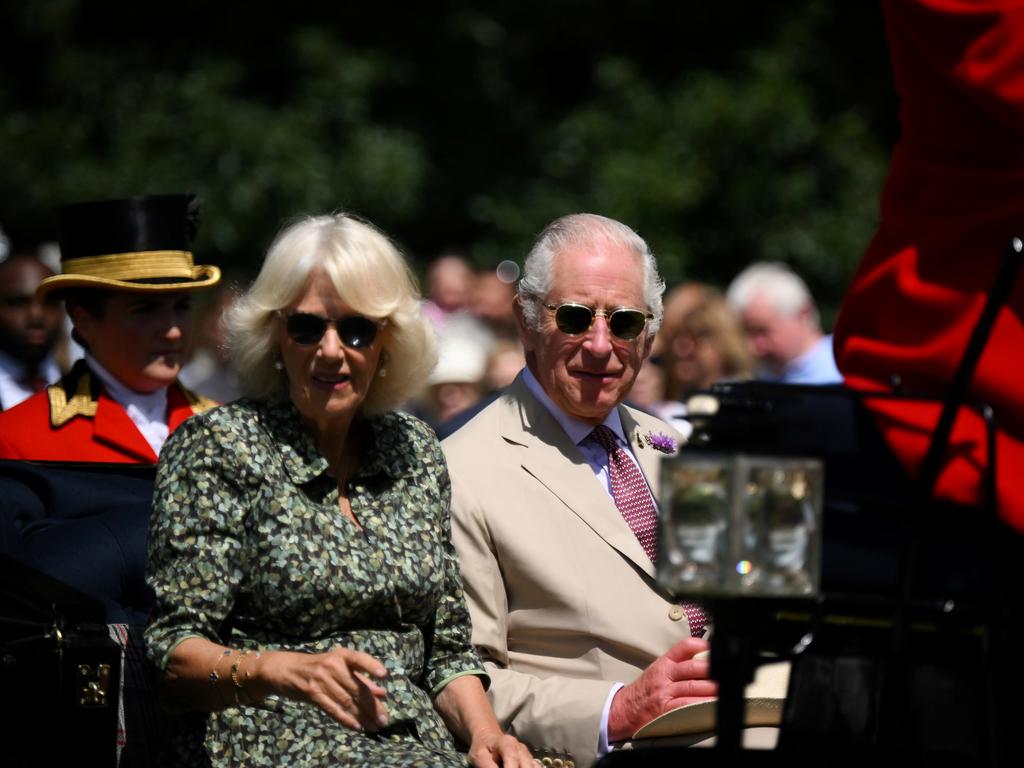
<point x="954" y="198"/>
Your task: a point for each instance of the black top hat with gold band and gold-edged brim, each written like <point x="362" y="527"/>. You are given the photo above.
<point x="141" y="244"/>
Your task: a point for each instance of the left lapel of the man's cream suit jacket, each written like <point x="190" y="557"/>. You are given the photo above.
<point x="554" y="460"/>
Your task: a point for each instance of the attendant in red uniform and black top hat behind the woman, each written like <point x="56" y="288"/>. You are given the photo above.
<point x="127" y="281"/>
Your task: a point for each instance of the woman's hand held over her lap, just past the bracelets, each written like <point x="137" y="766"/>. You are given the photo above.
<point x="342" y="682"/>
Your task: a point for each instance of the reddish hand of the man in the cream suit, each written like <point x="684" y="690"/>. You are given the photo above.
<point x="671" y="681"/>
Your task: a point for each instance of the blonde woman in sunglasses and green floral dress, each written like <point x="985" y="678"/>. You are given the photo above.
<point x="310" y="607"/>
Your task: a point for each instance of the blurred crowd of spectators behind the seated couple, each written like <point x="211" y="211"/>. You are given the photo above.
<point x="763" y="325"/>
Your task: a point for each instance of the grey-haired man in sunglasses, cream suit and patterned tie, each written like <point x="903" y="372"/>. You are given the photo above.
<point x="582" y="646"/>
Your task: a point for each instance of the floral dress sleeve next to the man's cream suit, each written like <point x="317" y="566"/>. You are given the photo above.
<point x="452" y="653"/>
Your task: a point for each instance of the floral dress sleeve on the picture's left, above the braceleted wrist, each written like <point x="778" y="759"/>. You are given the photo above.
<point x="196" y="533"/>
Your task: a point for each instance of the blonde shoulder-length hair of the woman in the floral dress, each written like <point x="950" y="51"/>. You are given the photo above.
<point x="369" y="274"/>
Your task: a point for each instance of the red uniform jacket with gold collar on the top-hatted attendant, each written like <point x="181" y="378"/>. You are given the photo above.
<point x="76" y="421"/>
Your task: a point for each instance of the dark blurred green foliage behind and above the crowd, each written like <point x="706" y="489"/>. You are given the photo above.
<point x="724" y="133"/>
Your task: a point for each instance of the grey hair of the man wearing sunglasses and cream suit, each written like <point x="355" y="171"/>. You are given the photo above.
<point x="584" y="229"/>
